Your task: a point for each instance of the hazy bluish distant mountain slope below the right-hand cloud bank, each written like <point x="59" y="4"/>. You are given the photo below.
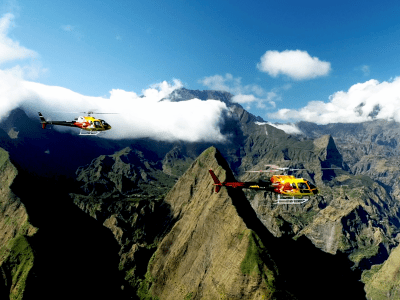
<point x="370" y="148"/>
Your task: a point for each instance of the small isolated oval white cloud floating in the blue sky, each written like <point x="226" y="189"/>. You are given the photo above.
<point x="296" y="64"/>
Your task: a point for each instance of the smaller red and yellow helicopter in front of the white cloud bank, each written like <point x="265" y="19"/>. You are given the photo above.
<point x="88" y="124"/>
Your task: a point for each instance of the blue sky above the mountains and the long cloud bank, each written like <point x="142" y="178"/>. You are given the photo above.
<point x="280" y="58"/>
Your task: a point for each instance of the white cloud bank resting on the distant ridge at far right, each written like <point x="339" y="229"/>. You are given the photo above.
<point x="362" y="102"/>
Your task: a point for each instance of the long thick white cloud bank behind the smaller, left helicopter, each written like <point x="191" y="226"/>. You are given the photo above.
<point x="138" y="116"/>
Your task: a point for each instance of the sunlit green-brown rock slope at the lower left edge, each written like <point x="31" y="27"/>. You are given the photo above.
<point x="16" y="254"/>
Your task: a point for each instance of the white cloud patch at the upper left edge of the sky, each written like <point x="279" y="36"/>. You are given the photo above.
<point x="11" y="50"/>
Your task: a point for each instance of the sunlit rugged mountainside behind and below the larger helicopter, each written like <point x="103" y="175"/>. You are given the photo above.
<point x="352" y="214"/>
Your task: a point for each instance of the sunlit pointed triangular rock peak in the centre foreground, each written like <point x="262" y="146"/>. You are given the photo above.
<point x="210" y="253"/>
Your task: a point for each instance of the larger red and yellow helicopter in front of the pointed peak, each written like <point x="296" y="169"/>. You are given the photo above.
<point x="290" y="190"/>
